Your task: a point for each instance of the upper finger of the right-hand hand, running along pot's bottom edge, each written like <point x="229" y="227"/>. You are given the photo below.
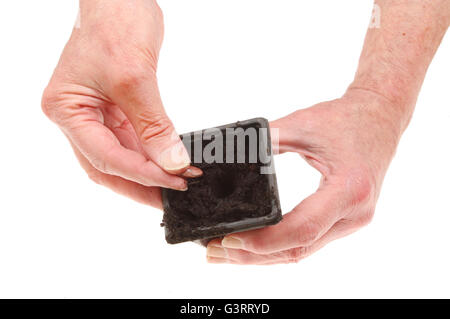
<point x="309" y="221"/>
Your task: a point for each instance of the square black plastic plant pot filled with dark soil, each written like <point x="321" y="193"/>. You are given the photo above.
<point x="237" y="191"/>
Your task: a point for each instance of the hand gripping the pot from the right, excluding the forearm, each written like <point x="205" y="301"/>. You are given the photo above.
<point x="351" y="142"/>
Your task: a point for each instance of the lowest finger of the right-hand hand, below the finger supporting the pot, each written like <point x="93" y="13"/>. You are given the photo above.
<point x="218" y="254"/>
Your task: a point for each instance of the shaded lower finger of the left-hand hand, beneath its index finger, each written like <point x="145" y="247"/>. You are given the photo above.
<point x="142" y="194"/>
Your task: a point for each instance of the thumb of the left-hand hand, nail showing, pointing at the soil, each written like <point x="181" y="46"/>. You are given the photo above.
<point x="140" y="100"/>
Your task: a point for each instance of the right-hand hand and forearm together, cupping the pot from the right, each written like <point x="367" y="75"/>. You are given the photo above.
<point x="351" y="140"/>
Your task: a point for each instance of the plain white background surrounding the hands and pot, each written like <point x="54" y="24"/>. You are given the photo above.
<point x="63" y="236"/>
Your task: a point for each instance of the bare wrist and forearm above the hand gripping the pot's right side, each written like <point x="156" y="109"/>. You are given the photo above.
<point x="397" y="53"/>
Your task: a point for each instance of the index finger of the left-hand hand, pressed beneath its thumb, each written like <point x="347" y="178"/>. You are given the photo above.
<point x="105" y="153"/>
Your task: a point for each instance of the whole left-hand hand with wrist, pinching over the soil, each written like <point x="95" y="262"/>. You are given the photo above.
<point x="105" y="98"/>
